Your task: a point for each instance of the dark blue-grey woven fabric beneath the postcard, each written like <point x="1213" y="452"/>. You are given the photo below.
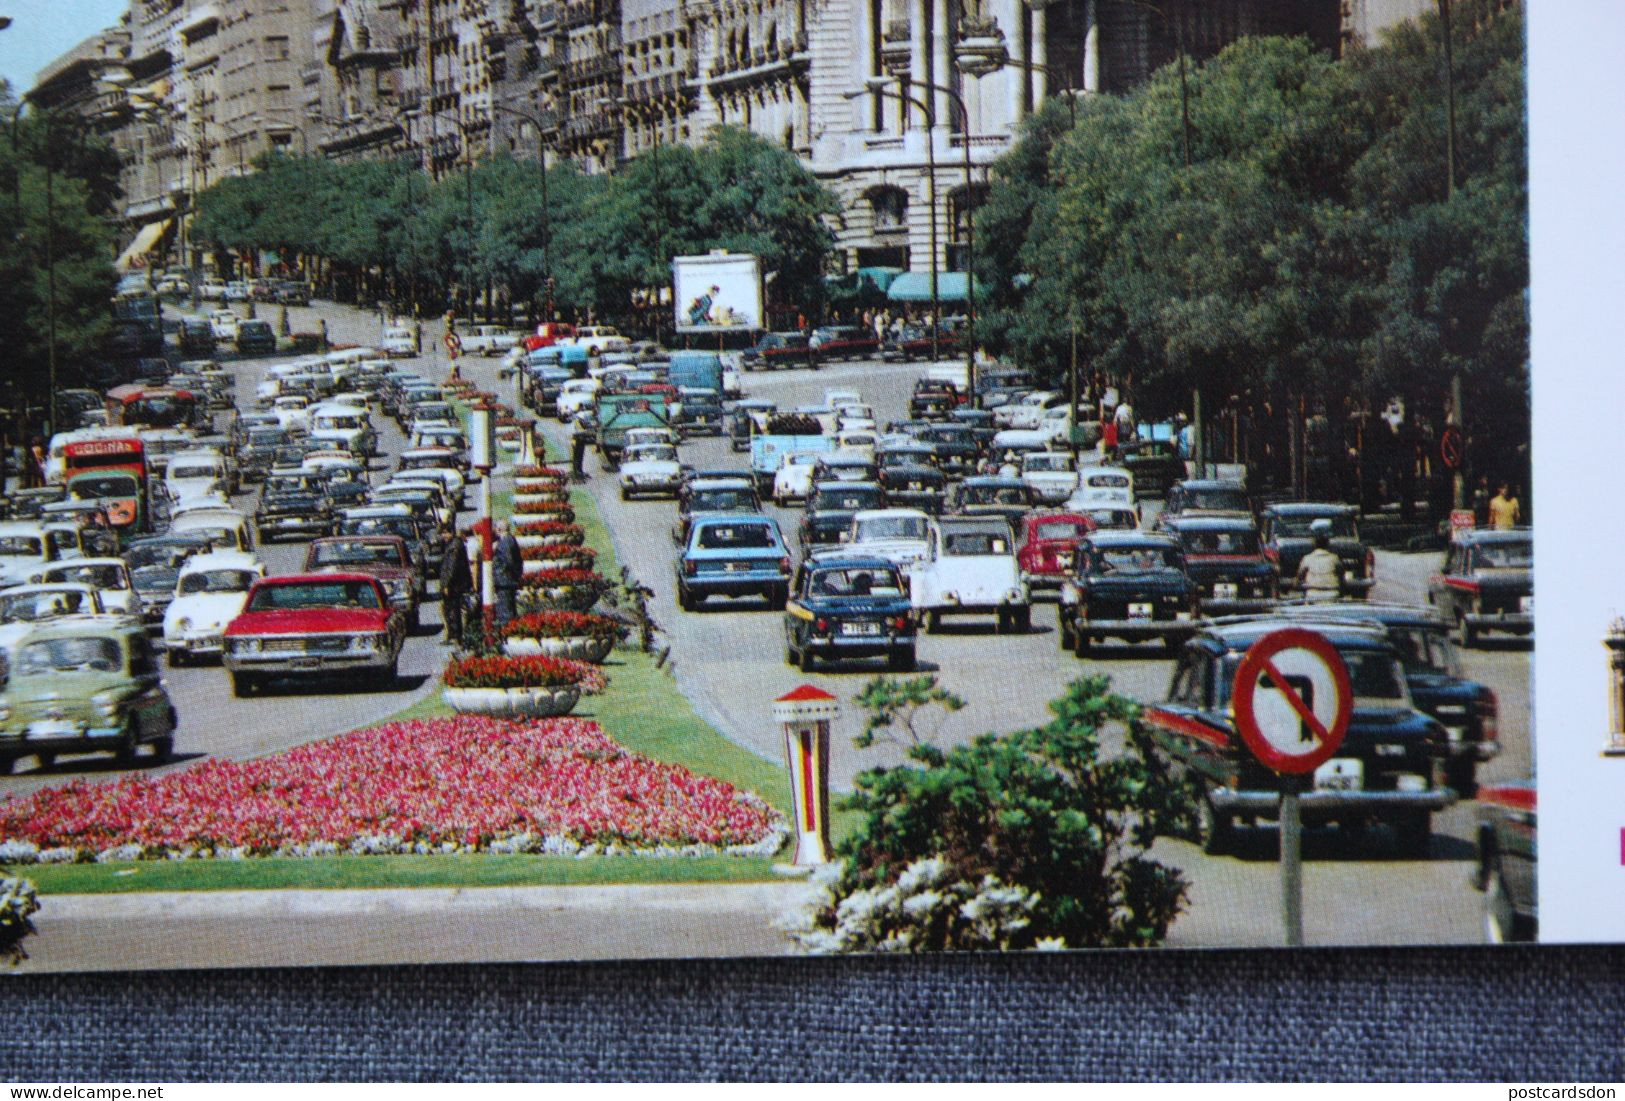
<point x="1465" y="1014"/>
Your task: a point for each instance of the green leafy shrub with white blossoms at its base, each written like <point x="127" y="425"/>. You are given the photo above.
<point x="1026" y="840"/>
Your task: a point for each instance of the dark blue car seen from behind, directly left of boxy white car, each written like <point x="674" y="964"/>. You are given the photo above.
<point x="849" y="607"/>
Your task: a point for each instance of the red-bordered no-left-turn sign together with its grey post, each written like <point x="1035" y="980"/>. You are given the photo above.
<point x="1293" y="706"/>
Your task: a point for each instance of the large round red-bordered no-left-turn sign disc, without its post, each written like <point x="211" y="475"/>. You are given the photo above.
<point x="1293" y="701"/>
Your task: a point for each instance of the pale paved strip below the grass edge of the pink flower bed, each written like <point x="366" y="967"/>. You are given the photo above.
<point x="342" y="928"/>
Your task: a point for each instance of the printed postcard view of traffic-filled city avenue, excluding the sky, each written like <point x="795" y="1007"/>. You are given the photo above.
<point x="630" y="478"/>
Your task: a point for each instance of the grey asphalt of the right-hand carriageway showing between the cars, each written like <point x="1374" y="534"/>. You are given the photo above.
<point x="730" y="663"/>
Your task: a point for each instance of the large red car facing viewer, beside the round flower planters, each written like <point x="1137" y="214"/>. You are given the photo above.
<point x="311" y="626"/>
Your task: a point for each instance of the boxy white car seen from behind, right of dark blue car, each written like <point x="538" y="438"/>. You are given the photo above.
<point x="969" y="569"/>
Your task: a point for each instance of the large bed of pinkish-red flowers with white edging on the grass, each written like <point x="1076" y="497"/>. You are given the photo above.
<point x="454" y="785"/>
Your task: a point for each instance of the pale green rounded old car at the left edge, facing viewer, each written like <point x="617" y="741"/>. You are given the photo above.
<point x="80" y="688"/>
